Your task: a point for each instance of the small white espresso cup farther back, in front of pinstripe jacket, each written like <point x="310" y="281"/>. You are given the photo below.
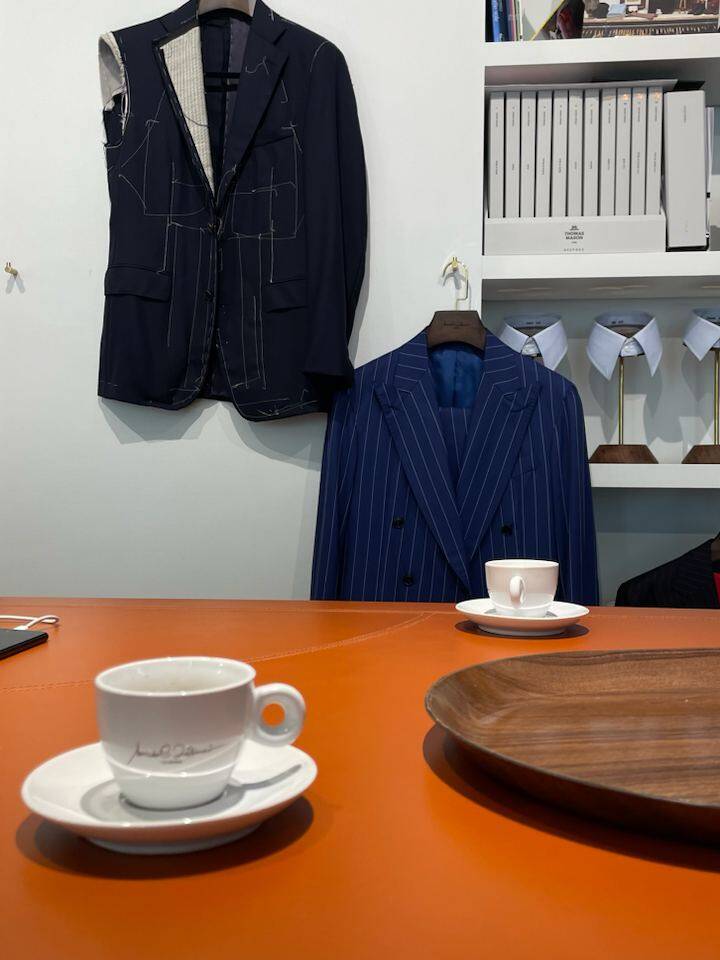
<point x="522" y="588"/>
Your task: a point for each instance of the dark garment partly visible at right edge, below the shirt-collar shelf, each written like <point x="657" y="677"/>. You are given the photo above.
<point x="687" y="582"/>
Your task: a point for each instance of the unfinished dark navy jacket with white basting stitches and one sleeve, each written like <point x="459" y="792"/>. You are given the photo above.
<point x="233" y="273"/>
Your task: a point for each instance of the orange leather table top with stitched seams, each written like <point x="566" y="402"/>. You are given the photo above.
<point x="399" y="849"/>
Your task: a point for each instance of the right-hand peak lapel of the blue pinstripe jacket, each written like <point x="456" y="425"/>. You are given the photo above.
<point x="503" y="408"/>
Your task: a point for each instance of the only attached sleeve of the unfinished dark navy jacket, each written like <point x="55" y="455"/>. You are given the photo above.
<point x="335" y="213"/>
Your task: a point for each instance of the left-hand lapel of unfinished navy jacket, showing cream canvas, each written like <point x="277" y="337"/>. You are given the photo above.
<point x="179" y="57"/>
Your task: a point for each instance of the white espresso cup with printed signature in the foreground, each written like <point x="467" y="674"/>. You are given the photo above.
<point x="172" y="728"/>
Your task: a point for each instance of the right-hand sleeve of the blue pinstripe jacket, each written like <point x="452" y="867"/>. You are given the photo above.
<point x="578" y="564"/>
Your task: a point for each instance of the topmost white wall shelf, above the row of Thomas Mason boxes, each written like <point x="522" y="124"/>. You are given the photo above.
<point x="684" y="57"/>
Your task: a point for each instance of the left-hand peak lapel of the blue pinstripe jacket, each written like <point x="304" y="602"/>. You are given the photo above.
<point x="409" y="406"/>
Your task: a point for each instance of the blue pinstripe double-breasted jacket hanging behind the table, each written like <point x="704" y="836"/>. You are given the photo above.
<point x="393" y="524"/>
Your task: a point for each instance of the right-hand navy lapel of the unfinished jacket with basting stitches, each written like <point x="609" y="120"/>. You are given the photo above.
<point x="259" y="77"/>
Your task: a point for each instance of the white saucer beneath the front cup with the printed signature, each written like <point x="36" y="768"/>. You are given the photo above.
<point x="77" y="791"/>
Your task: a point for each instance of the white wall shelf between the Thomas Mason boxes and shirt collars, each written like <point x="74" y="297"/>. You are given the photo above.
<point x="601" y="276"/>
